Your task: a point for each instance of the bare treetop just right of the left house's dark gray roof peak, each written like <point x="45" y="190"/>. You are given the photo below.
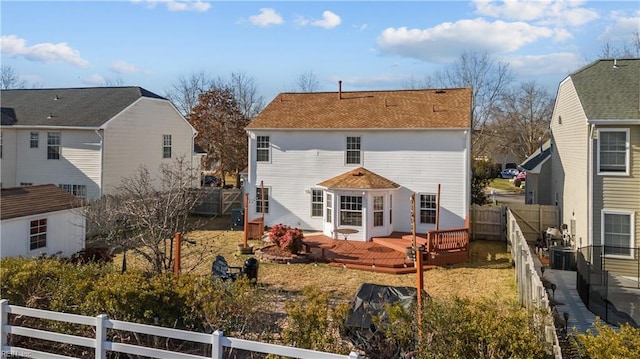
<point x="184" y="93"/>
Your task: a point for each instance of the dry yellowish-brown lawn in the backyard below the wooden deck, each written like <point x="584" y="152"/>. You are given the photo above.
<point x="489" y="273"/>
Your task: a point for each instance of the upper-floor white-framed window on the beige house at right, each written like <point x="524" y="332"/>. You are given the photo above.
<point x="613" y="151"/>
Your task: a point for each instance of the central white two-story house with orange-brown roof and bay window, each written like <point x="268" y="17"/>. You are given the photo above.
<point x="353" y="159"/>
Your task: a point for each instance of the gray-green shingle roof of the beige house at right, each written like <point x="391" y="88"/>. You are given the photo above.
<point x="609" y="89"/>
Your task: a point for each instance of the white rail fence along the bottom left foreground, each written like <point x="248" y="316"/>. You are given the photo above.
<point x="102" y="345"/>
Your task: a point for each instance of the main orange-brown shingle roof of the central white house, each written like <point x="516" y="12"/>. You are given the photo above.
<point x="448" y="108"/>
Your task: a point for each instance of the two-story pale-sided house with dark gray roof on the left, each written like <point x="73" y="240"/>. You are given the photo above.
<point x="86" y="140"/>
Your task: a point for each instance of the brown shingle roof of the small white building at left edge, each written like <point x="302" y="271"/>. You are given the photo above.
<point x="31" y="200"/>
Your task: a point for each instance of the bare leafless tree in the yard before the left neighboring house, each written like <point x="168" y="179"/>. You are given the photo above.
<point x="146" y="212"/>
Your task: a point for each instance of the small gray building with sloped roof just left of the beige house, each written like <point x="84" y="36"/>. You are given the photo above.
<point x="538" y="182"/>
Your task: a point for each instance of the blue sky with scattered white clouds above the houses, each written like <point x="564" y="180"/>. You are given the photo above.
<point x="368" y="45"/>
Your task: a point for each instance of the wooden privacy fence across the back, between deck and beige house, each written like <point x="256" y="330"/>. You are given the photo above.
<point x="489" y="222"/>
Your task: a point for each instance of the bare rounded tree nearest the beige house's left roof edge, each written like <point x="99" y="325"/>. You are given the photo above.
<point x="521" y="120"/>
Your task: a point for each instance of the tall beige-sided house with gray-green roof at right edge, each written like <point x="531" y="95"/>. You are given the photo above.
<point x="596" y="159"/>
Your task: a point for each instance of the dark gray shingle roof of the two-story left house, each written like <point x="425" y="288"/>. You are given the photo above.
<point x="71" y="107"/>
